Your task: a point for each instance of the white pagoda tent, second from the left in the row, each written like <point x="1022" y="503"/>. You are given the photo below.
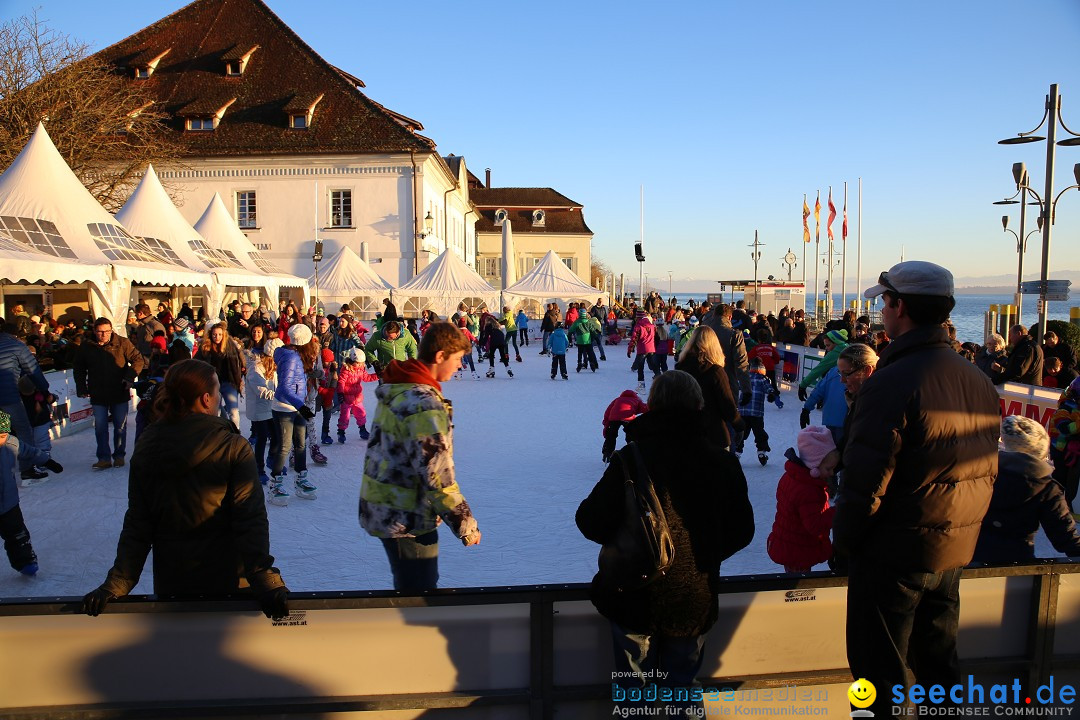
<point x="150" y="214"/>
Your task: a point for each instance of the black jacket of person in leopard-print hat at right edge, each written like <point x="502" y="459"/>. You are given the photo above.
<point x="1025" y="497"/>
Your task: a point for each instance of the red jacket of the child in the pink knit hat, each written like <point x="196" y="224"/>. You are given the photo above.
<point x="800" y="536"/>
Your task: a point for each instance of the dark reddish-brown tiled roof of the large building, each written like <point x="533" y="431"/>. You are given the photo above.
<point x="205" y="34"/>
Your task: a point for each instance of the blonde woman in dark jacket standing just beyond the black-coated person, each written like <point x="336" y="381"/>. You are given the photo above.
<point x="704" y="359"/>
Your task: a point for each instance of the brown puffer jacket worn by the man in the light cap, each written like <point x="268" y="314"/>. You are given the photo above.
<point x="920" y="459"/>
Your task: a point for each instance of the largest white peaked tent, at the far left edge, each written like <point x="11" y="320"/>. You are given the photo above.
<point x="44" y="205"/>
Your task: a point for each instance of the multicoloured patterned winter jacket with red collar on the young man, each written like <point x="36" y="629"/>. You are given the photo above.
<point x="409" y="473"/>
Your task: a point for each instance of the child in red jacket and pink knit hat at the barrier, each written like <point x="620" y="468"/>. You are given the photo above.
<point x="800" y="538"/>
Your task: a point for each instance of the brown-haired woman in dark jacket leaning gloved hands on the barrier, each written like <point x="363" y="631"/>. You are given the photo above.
<point x="195" y="498"/>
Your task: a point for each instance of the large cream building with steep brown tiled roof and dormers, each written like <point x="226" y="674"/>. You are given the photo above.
<point x="293" y="145"/>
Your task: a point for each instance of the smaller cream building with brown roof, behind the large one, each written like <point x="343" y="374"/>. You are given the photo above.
<point x="542" y="220"/>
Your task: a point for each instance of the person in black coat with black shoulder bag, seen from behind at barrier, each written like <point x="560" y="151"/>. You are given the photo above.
<point x="704" y="496"/>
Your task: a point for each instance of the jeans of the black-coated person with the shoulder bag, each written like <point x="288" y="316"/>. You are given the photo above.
<point x="638" y="657"/>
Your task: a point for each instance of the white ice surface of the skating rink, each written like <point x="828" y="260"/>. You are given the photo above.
<point x="528" y="452"/>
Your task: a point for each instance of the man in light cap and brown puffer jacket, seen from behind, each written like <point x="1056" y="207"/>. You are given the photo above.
<point x="920" y="466"/>
